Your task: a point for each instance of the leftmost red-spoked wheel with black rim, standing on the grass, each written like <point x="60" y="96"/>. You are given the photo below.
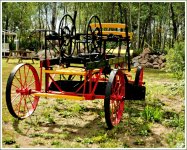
<point x="22" y="82"/>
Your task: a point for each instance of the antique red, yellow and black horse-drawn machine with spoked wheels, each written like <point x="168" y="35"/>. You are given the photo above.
<point x="83" y="69"/>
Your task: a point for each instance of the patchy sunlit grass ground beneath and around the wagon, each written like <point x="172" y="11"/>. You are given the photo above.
<point x="157" y="122"/>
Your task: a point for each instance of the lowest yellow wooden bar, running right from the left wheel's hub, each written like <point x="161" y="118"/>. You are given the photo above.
<point x="59" y="96"/>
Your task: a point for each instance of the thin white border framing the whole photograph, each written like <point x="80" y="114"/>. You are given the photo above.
<point x="94" y="1"/>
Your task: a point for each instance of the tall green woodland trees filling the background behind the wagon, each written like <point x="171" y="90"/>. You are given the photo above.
<point x="150" y="22"/>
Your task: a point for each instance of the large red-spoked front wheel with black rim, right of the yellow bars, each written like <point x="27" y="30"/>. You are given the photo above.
<point x="114" y="98"/>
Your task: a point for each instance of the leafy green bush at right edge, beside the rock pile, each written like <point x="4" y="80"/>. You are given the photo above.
<point x="176" y="60"/>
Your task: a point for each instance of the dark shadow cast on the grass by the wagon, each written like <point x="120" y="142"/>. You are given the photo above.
<point x="129" y="133"/>
